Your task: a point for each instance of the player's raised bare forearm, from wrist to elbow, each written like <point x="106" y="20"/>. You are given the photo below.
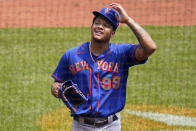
<point x="143" y="37"/>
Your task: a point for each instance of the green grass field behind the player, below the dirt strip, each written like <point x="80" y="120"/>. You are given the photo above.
<point x="29" y="55"/>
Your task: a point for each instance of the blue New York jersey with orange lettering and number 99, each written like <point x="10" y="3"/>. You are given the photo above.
<point x="102" y="81"/>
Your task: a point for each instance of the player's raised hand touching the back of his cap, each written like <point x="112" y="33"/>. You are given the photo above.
<point x="124" y="17"/>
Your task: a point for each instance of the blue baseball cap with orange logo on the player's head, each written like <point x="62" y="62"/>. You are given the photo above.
<point x="109" y="14"/>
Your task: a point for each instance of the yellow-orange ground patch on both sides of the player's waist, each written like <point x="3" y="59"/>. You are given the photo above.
<point x="130" y="122"/>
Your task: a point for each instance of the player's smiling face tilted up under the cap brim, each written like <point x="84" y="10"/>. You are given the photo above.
<point x="101" y="30"/>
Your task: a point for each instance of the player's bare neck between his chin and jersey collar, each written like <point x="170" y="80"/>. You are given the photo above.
<point x="97" y="48"/>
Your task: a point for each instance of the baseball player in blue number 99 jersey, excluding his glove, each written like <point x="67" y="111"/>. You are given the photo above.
<point x="100" y="70"/>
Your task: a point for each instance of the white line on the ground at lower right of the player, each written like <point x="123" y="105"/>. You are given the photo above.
<point x="169" y="119"/>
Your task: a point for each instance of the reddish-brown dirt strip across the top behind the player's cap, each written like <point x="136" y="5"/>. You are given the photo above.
<point x="58" y="13"/>
